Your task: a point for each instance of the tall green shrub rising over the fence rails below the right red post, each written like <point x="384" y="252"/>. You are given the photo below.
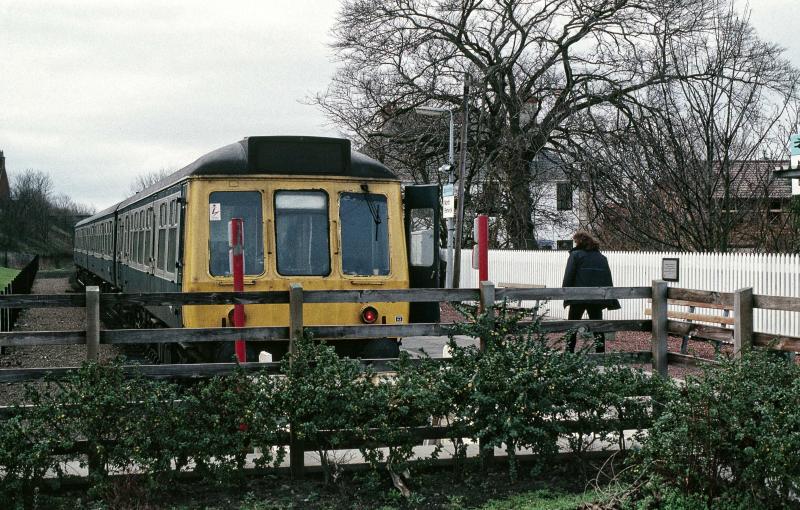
<point x="524" y="393"/>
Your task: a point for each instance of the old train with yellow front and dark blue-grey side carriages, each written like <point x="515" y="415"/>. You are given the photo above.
<point x="314" y="211"/>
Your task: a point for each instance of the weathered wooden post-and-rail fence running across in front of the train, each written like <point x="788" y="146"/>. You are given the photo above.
<point x="742" y="302"/>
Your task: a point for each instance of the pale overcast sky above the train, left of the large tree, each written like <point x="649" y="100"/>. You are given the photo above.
<point x="95" y="92"/>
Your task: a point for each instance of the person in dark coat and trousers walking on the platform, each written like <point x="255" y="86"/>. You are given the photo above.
<point x="587" y="267"/>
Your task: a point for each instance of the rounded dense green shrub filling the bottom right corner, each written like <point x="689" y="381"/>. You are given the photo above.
<point x="732" y="433"/>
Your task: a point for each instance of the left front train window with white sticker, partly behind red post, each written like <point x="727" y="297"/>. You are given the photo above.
<point x="223" y="206"/>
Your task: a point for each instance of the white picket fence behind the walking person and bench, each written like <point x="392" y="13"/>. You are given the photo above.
<point x="771" y="274"/>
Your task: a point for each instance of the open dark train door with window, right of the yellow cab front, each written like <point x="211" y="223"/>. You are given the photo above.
<point x="422" y="225"/>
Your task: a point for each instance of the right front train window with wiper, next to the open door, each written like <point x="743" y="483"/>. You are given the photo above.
<point x="365" y="235"/>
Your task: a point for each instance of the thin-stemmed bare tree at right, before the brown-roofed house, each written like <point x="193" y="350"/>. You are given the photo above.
<point x="687" y="164"/>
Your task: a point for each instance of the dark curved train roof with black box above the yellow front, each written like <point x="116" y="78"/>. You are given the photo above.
<point x="276" y="155"/>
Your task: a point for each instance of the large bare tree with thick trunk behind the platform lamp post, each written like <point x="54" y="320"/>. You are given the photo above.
<point x="533" y="67"/>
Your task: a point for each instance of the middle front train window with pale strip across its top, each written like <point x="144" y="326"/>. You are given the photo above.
<point x="301" y="230"/>
